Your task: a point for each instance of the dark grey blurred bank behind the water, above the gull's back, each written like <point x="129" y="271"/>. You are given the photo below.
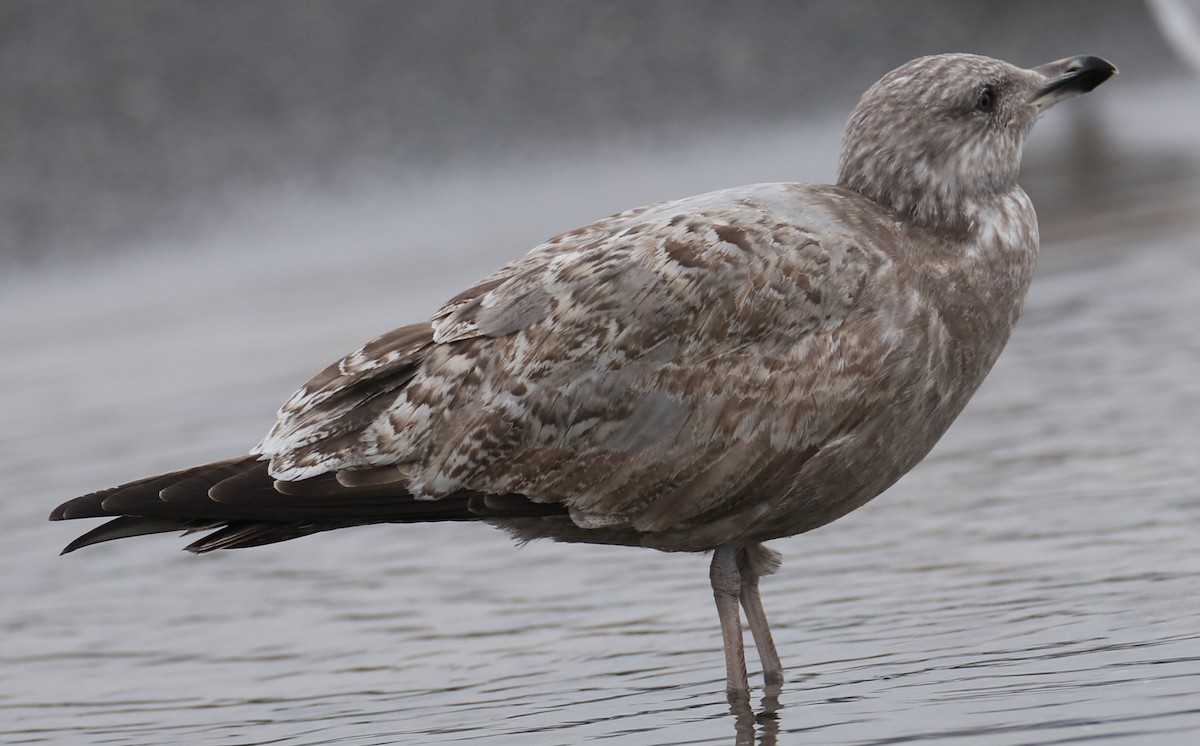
<point x="128" y="121"/>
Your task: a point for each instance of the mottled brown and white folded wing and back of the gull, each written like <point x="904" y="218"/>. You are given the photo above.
<point x="651" y="370"/>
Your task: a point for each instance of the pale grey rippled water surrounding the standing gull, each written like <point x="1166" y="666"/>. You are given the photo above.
<point x="1036" y="581"/>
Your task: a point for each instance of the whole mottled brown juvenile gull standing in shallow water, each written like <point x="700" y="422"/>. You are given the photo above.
<point x="703" y="375"/>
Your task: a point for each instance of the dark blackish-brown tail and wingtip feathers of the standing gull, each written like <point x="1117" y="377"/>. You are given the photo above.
<point x="245" y="507"/>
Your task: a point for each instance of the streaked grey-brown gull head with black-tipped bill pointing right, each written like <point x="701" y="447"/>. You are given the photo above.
<point x="943" y="134"/>
